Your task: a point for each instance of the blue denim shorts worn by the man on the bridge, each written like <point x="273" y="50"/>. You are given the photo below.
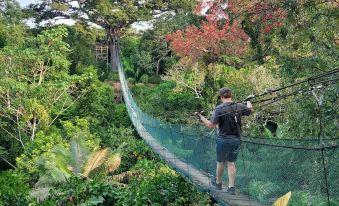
<point x="227" y="149"/>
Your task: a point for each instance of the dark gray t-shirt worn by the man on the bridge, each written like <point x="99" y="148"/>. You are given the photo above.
<point x="228" y="117"/>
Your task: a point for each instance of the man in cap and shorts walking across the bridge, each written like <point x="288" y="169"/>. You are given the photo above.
<point x="227" y="117"/>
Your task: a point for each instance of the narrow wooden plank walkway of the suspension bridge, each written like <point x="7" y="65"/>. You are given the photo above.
<point x="197" y="177"/>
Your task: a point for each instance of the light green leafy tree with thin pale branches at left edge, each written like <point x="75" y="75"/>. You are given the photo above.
<point x="35" y="87"/>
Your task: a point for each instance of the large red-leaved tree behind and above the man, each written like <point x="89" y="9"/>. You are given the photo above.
<point x="216" y="35"/>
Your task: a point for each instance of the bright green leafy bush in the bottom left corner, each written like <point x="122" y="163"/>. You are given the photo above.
<point x="14" y="189"/>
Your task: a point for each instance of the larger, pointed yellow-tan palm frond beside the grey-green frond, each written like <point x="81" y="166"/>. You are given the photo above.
<point x="95" y="160"/>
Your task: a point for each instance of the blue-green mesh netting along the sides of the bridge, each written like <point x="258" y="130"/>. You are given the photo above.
<point x="266" y="168"/>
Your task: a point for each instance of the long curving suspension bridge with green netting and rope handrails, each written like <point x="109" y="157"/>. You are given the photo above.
<point x="266" y="168"/>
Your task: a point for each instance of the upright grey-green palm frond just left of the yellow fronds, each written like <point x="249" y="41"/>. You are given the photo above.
<point x="79" y="154"/>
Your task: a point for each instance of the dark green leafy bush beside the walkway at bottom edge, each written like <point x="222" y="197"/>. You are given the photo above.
<point x="159" y="185"/>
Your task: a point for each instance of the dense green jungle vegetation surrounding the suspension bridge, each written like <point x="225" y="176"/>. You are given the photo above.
<point x="65" y="134"/>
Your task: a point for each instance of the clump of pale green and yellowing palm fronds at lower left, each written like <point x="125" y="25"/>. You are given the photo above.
<point x="62" y="163"/>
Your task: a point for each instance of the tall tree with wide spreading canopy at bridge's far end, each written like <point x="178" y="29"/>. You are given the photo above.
<point x="110" y="15"/>
